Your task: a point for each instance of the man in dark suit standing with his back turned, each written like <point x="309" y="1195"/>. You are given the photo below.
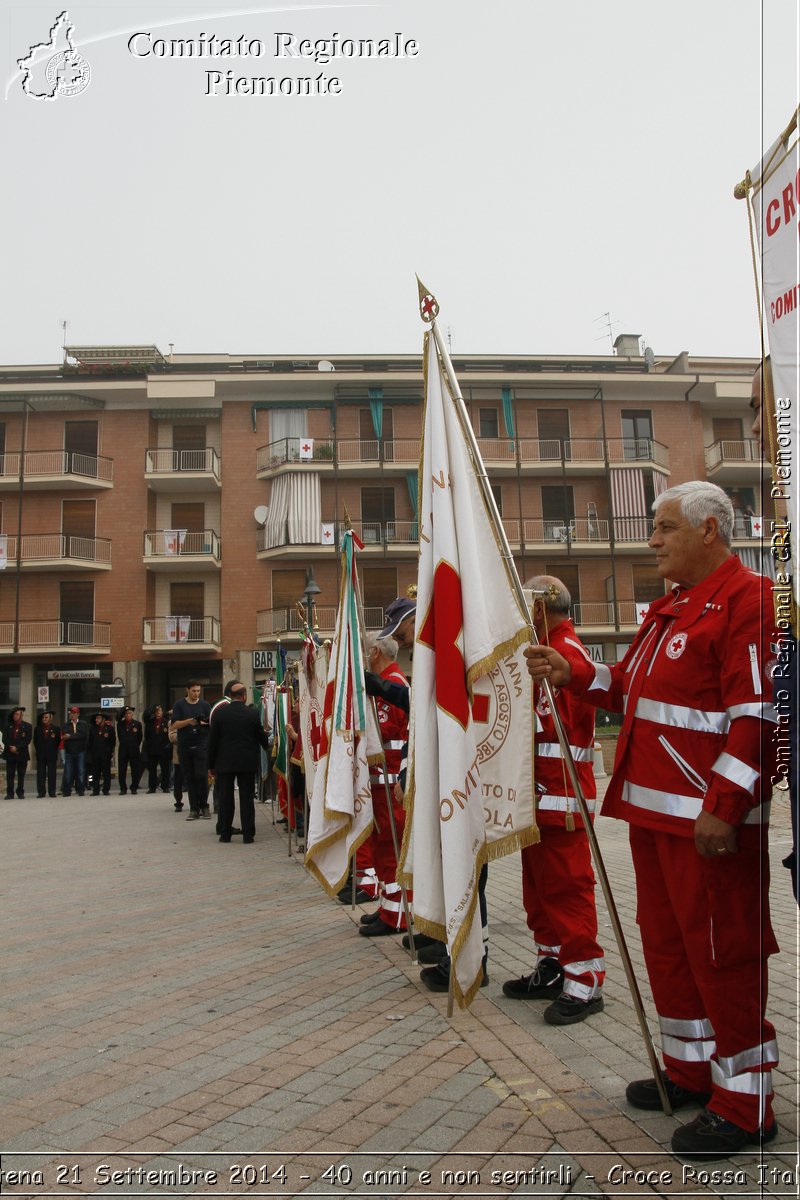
<point x="237" y="734"/>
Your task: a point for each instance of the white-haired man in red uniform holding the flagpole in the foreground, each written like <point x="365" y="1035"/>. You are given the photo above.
<point x="694" y="779"/>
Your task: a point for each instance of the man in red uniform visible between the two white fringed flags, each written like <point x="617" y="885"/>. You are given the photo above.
<point x="389" y="917"/>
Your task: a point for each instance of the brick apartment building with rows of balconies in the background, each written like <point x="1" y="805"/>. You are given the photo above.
<point x="160" y="517"/>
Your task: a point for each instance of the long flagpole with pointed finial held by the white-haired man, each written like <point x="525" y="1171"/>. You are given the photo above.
<point x="429" y="310"/>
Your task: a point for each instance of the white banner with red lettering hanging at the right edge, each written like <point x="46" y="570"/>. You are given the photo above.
<point x="777" y="207"/>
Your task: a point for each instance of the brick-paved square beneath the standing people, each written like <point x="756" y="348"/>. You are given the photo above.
<point x="172" y="1005"/>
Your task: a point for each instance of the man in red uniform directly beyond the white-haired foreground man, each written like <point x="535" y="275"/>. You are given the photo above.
<point x="558" y="885"/>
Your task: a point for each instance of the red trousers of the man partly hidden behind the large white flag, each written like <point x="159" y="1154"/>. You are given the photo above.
<point x="558" y="892"/>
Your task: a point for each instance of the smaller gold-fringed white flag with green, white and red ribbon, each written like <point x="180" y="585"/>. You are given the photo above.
<point x="341" y="803"/>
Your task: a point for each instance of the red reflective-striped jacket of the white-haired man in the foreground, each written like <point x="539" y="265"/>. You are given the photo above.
<point x="696" y="694"/>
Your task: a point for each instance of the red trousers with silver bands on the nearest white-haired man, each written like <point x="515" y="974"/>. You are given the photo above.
<point x="707" y="937"/>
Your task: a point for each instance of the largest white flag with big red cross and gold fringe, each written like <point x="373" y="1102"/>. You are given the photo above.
<point x="471" y="793"/>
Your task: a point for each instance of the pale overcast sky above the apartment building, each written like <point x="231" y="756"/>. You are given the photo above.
<point x="539" y="165"/>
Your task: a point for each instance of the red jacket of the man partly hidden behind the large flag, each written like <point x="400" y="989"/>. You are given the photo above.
<point x="579" y="721"/>
